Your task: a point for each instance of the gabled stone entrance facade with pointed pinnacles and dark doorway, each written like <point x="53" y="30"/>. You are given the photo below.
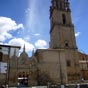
<point x="23" y="66"/>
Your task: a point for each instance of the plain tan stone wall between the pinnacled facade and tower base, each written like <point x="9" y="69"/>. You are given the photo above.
<point x="52" y="62"/>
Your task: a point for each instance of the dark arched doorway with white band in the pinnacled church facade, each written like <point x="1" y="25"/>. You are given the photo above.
<point x="23" y="79"/>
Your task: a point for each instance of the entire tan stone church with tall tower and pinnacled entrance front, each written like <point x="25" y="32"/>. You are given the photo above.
<point x="61" y="63"/>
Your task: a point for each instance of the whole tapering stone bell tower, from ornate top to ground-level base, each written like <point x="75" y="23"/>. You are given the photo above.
<point x="62" y="36"/>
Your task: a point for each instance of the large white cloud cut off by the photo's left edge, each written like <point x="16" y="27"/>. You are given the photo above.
<point x="6" y="25"/>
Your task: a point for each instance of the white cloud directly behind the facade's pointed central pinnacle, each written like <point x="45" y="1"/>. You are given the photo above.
<point x="21" y="42"/>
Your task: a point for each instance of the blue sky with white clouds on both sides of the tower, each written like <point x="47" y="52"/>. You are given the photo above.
<point x="27" y="22"/>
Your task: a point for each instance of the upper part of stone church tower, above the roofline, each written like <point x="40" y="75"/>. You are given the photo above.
<point x="62" y="30"/>
